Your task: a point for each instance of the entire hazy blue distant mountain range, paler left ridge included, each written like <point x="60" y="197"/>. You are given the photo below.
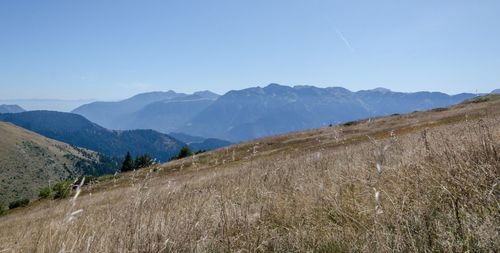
<point x="256" y="112"/>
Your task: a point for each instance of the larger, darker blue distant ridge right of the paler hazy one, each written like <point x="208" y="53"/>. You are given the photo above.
<point x="262" y="111"/>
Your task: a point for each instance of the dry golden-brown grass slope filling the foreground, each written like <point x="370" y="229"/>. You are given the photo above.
<point x="406" y="183"/>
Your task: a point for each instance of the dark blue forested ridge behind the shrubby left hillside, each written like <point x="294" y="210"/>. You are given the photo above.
<point x="77" y="130"/>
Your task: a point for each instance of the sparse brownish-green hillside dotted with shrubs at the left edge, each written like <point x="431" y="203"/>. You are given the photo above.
<point x="29" y="161"/>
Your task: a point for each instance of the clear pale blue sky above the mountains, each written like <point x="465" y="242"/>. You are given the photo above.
<point x="108" y="49"/>
